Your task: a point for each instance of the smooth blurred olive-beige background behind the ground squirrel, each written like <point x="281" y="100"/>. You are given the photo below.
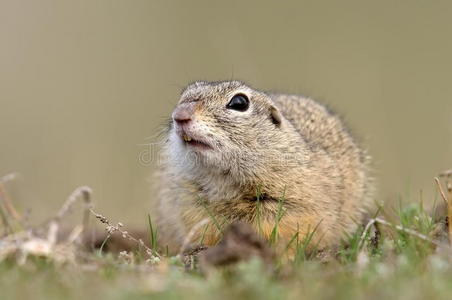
<point x="85" y="84"/>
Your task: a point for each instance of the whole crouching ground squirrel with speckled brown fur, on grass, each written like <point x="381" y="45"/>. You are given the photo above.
<point x="233" y="153"/>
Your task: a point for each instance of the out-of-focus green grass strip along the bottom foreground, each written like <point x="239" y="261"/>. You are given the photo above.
<point x="385" y="275"/>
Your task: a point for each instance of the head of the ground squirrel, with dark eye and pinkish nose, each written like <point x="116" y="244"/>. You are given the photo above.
<point x="227" y="127"/>
